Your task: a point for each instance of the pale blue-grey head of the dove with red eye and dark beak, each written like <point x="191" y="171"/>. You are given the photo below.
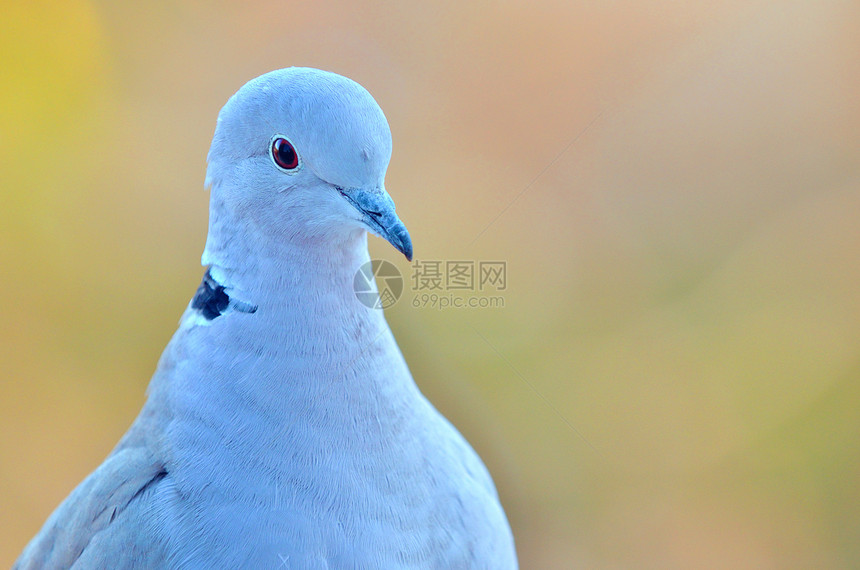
<point x="300" y="154"/>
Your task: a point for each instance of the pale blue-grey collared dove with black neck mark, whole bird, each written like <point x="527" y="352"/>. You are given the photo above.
<point x="282" y="427"/>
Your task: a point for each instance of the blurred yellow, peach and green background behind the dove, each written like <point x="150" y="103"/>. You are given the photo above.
<point x="674" y="379"/>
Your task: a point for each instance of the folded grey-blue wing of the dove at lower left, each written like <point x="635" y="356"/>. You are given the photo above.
<point x="99" y="515"/>
